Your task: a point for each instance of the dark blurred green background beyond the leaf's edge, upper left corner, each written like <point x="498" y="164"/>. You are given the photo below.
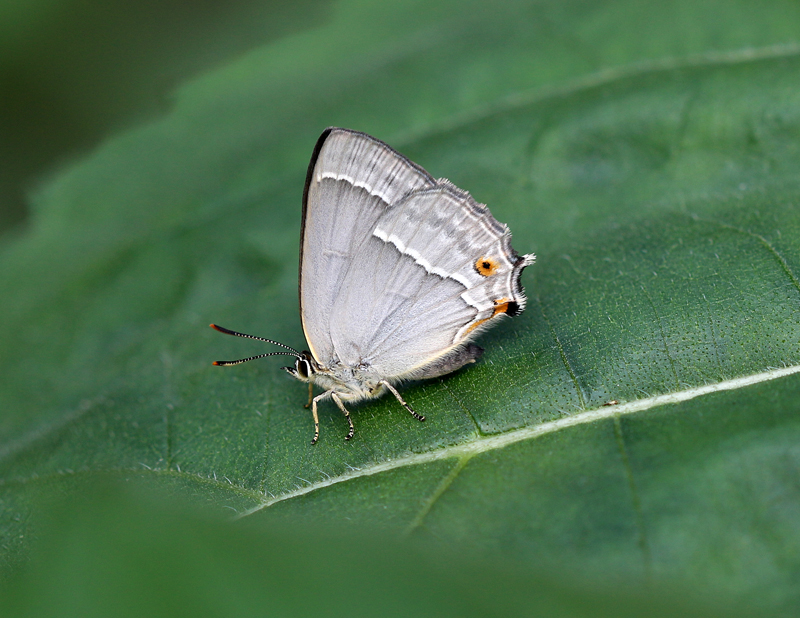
<point x="73" y="72"/>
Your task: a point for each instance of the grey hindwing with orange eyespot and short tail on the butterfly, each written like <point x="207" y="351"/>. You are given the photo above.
<point x="434" y="270"/>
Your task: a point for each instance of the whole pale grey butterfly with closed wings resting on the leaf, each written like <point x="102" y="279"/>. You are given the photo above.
<point x="398" y="273"/>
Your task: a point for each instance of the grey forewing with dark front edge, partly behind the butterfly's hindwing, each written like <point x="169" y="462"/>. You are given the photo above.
<point x="353" y="179"/>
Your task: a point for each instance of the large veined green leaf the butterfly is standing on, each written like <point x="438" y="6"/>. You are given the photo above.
<point x="648" y="155"/>
